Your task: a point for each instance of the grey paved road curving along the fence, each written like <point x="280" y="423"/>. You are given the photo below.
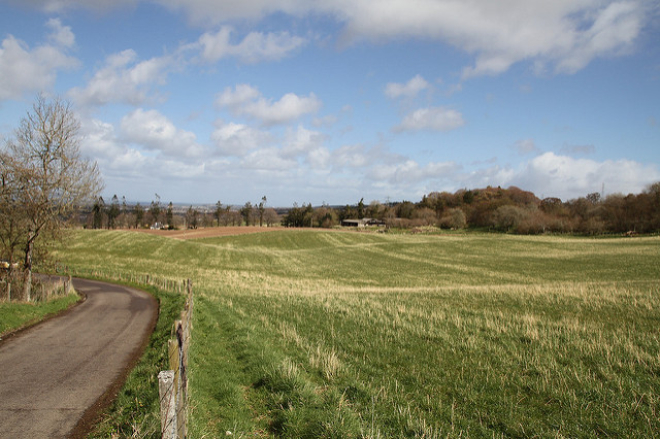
<point x="55" y="376"/>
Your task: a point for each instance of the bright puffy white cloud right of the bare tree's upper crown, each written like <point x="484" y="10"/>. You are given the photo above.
<point x="155" y="132"/>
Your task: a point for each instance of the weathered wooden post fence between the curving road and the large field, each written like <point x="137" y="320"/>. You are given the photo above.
<point x="173" y="383"/>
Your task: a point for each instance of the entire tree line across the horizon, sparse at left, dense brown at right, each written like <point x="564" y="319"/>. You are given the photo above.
<point x="511" y="210"/>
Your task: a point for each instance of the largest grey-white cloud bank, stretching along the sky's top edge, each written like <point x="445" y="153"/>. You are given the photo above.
<point x="563" y="34"/>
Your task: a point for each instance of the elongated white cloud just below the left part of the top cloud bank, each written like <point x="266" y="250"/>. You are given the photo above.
<point x="254" y="48"/>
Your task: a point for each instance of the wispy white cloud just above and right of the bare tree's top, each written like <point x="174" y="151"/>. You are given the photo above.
<point x="123" y="79"/>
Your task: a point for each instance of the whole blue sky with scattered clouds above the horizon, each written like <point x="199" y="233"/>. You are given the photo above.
<point x="332" y="101"/>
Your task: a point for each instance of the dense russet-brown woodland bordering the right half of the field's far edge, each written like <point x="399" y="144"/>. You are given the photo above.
<point x="510" y="210"/>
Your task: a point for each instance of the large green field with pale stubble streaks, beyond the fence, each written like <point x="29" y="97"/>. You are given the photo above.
<point x="327" y="334"/>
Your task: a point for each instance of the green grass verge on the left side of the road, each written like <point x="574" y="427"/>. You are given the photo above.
<point x="16" y="315"/>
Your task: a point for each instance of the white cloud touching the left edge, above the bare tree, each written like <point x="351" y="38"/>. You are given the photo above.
<point x="28" y="70"/>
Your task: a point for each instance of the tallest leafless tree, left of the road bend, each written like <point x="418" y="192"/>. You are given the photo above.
<point x="51" y="179"/>
